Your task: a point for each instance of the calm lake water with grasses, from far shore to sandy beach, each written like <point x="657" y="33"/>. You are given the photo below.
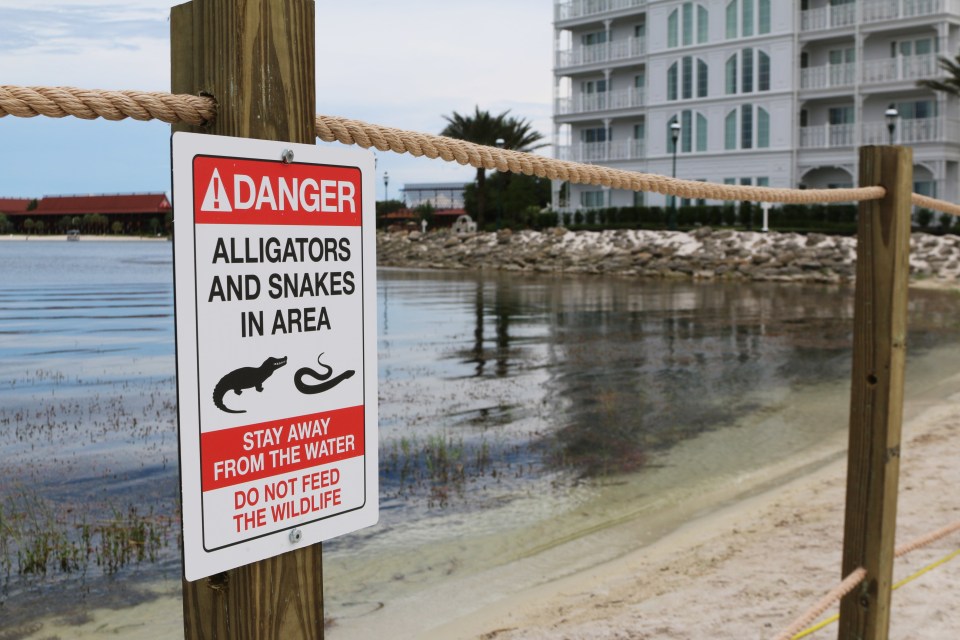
<point x="518" y="415"/>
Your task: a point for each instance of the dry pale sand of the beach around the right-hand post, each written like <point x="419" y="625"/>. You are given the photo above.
<point x="749" y="570"/>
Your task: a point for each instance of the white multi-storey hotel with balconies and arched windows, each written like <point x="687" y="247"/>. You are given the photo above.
<point x="774" y="93"/>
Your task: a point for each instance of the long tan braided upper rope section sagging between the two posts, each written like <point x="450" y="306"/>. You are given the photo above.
<point x="346" y="131"/>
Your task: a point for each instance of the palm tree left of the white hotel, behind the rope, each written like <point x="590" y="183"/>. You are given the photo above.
<point x="483" y="128"/>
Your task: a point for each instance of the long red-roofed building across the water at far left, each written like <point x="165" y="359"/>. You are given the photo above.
<point x="137" y="214"/>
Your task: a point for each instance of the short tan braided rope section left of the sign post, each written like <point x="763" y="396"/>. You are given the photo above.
<point x="89" y="104"/>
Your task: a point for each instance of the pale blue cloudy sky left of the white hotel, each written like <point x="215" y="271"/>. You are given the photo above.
<point x="398" y="64"/>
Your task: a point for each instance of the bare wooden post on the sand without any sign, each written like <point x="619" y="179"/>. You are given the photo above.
<point x="876" y="399"/>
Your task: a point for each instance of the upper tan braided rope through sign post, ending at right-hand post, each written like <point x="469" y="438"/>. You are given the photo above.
<point x="57" y="102"/>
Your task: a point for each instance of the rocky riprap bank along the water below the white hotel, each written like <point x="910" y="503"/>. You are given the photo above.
<point x="702" y="254"/>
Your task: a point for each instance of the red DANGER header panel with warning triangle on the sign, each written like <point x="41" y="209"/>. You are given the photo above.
<point x="265" y="192"/>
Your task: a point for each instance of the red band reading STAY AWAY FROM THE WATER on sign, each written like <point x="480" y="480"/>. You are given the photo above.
<point x="241" y="454"/>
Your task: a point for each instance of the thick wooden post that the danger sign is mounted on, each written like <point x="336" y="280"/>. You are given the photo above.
<point x="256" y="58"/>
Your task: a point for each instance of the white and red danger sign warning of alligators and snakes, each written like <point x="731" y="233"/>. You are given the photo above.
<point x="276" y="346"/>
